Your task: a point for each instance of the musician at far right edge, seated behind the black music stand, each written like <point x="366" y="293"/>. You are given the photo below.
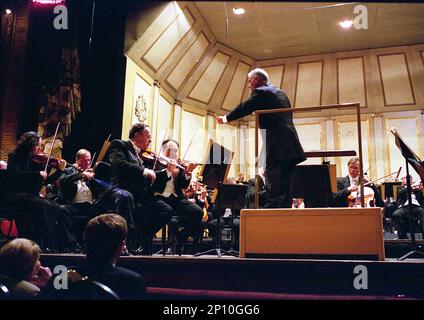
<point x="401" y="215"/>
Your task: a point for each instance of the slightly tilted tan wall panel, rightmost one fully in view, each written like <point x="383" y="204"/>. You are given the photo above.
<point x="396" y="80"/>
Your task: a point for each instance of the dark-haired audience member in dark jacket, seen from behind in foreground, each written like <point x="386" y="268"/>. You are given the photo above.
<point x="105" y="237"/>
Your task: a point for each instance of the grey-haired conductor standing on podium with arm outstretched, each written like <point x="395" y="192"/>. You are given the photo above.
<point x="282" y="146"/>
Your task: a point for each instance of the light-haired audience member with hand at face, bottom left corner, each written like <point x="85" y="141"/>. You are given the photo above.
<point x="21" y="270"/>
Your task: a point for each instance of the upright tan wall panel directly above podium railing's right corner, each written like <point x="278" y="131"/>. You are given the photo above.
<point x="351" y="81"/>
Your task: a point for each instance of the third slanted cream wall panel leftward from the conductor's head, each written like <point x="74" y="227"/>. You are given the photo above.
<point x="189" y="60"/>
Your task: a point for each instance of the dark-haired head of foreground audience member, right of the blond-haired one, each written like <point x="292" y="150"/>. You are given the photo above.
<point x="105" y="237"/>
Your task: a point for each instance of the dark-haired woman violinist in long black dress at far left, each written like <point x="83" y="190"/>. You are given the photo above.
<point x="49" y="226"/>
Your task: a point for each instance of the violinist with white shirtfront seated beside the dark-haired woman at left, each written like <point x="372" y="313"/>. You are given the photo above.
<point x="79" y="192"/>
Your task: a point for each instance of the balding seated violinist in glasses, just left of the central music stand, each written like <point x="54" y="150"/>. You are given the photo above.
<point x="168" y="188"/>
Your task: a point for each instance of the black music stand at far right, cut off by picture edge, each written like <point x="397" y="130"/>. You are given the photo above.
<point x="410" y="159"/>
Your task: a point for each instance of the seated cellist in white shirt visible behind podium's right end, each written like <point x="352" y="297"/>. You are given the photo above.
<point x="349" y="185"/>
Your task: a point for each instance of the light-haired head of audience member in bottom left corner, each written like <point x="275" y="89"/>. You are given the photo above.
<point x="19" y="259"/>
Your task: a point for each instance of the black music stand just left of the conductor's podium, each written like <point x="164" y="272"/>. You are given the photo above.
<point x="214" y="172"/>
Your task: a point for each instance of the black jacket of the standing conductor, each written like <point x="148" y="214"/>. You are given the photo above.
<point x="282" y="141"/>
